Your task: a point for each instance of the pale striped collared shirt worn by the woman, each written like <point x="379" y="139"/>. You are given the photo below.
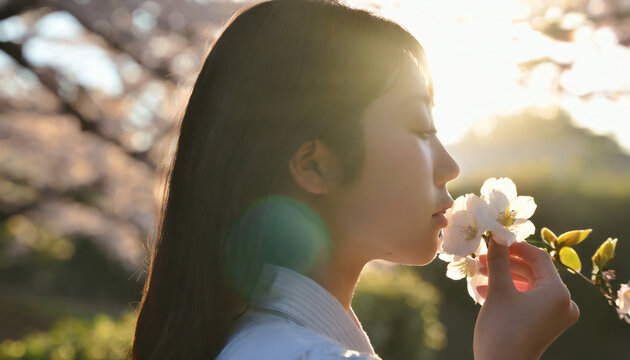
<point x="293" y="317"/>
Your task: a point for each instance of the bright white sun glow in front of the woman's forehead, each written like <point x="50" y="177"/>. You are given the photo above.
<point x="474" y="50"/>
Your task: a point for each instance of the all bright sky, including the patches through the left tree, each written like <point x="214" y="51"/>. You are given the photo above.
<point x="473" y="48"/>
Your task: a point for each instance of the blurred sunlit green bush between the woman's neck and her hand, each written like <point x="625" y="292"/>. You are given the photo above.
<point x="400" y="313"/>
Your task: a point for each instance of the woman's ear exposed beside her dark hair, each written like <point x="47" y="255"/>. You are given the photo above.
<point x="314" y="168"/>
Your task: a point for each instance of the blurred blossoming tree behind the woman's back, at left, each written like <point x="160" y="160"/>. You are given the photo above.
<point x="104" y="77"/>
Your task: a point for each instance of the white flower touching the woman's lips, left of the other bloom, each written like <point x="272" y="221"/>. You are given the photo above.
<point x="463" y="234"/>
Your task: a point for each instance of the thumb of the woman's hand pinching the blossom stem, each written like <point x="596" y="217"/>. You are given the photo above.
<point x="499" y="274"/>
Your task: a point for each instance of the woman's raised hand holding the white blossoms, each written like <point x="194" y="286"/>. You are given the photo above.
<point x="515" y="324"/>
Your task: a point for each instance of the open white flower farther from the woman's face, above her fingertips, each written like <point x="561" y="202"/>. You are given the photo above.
<point x="509" y="213"/>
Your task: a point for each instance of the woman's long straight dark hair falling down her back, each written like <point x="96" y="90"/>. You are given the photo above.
<point x="282" y="72"/>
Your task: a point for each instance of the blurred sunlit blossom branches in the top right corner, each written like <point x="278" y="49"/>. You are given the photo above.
<point x="566" y="22"/>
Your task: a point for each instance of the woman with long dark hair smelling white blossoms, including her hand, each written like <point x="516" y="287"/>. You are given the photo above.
<point x="307" y="149"/>
